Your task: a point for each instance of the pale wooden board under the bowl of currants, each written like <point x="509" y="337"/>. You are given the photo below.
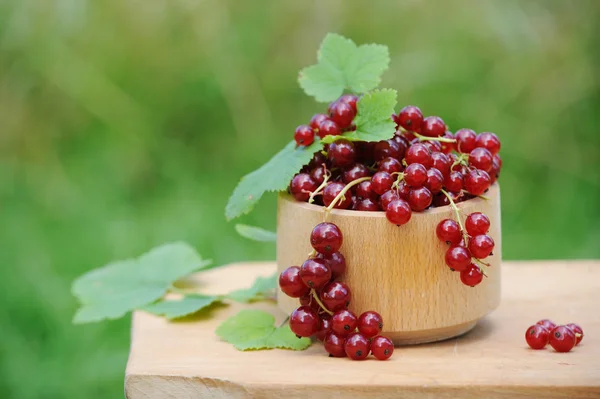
<point x="186" y="360"/>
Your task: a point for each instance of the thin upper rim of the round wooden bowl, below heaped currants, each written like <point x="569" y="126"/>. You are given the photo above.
<point x="492" y="192"/>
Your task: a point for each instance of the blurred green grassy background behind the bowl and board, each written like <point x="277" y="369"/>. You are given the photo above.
<point x="125" y="124"/>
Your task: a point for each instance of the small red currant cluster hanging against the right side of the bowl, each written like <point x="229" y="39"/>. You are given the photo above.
<point x="468" y="245"/>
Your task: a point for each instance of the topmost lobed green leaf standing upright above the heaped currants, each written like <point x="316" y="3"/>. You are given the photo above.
<point x="341" y="64"/>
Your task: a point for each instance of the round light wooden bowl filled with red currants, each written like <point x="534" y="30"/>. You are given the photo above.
<point x="398" y="271"/>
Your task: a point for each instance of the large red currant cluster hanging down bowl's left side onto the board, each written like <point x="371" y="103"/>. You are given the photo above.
<point x="324" y="302"/>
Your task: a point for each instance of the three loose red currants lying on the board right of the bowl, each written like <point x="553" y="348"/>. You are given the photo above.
<point x="561" y="338"/>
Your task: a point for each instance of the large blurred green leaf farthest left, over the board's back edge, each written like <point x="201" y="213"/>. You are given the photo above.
<point x="112" y="291"/>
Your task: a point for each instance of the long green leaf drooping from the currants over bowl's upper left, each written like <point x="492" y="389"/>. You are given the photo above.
<point x="275" y="175"/>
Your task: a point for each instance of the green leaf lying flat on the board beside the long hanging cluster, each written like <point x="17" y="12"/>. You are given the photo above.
<point x="255" y="329"/>
